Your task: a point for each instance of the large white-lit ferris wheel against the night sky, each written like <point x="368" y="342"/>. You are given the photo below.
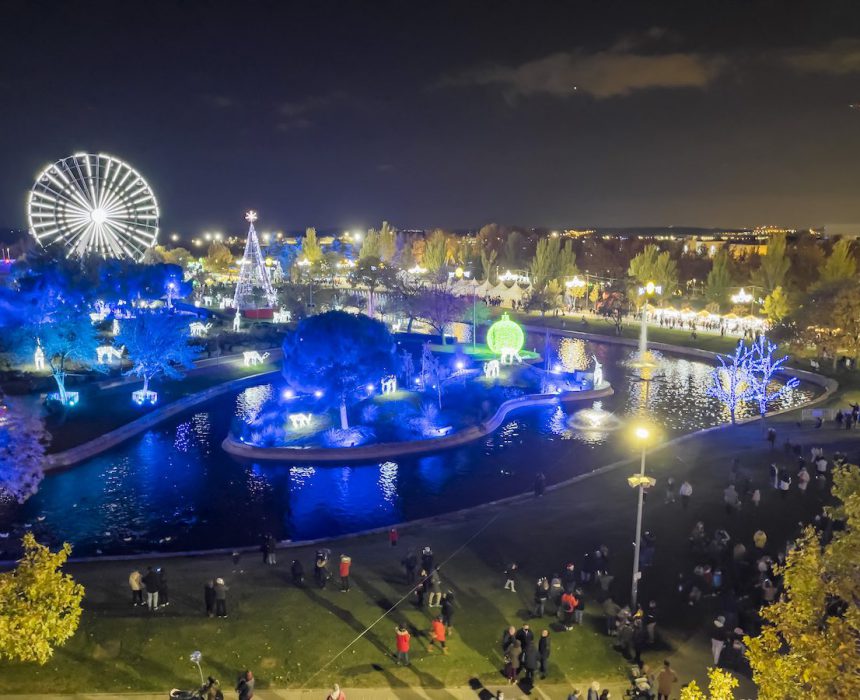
<point x="94" y="203"/>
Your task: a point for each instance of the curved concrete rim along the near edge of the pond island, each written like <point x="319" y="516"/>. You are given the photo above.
<point x="386" y="450"/>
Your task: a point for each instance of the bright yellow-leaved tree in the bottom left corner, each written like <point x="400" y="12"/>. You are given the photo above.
<point x="40" y="606"/>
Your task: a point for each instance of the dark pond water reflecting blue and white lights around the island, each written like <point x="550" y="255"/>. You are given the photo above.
<point x="174" y="488"/>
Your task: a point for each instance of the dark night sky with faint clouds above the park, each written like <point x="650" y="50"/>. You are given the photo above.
<point x="341" y="114"/>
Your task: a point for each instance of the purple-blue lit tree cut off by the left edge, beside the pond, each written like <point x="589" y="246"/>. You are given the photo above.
<point x="22" y="450"/>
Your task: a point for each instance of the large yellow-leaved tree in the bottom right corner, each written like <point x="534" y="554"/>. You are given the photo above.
<point x="809" y="643"/>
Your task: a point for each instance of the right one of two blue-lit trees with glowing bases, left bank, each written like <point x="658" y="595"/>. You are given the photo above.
<point x="157" y="343"/>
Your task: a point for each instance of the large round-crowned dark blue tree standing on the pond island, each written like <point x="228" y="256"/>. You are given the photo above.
<point x="338" y="354"/>
